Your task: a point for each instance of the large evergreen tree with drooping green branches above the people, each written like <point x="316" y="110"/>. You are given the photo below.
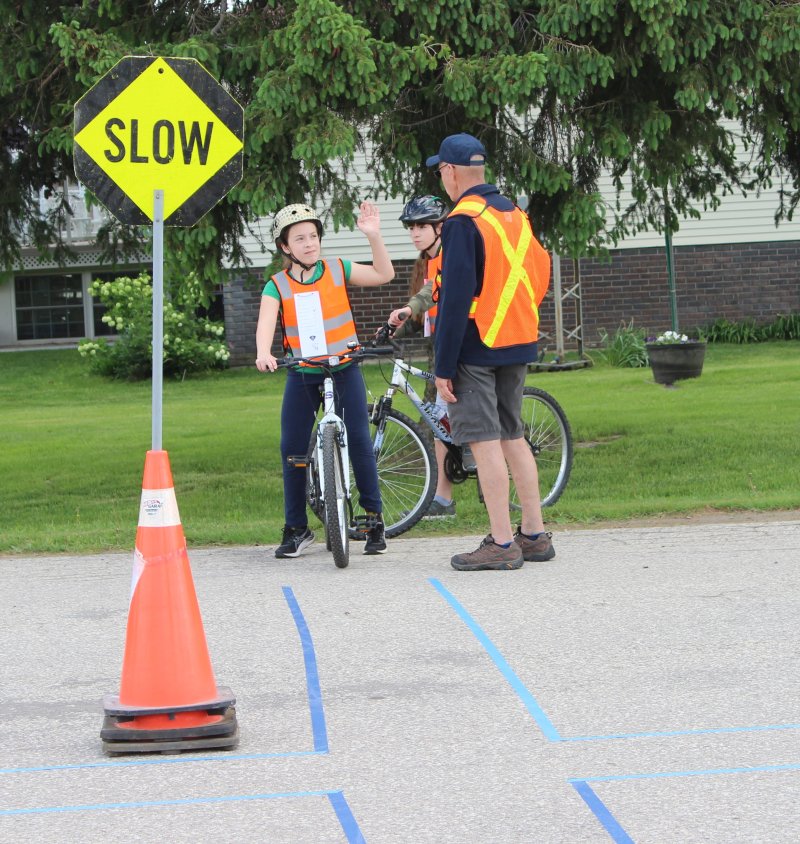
<point x="558" y="92"/>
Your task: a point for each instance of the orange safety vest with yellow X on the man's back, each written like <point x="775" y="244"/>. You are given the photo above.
<point x="516" y="275"/>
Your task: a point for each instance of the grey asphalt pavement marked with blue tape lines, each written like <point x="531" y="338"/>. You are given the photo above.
<point x="642" y="686"/>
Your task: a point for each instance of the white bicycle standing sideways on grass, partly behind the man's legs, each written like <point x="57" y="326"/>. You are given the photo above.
<point x="407" y="470"/>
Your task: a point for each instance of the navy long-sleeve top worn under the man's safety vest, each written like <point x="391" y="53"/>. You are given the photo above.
<point x="457" y="339"/>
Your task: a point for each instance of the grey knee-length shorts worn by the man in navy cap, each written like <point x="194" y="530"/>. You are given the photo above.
<point x="489" y="405"/>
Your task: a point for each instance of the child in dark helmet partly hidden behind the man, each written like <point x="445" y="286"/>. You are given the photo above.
<point x="424" y="216"/>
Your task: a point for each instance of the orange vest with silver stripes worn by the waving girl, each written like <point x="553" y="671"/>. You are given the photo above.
<point x="337" y="315"/>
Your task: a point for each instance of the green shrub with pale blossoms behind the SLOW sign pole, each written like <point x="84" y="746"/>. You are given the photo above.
<point x="192" y="343"/>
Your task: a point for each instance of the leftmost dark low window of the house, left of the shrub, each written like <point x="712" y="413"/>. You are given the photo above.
<point x="49" y="306"/>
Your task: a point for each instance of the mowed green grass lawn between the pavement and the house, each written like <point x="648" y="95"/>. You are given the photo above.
<point x="74" y="446"/>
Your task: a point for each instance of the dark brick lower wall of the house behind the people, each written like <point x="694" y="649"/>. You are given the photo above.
<point x="735" y="281"/>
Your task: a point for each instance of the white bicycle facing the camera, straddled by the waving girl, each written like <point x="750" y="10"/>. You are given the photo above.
<point x="327" y="462"/>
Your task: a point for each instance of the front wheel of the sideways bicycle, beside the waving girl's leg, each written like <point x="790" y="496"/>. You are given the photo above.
<point x="406" y="471"/>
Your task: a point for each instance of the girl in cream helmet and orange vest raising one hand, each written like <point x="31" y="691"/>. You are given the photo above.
<point x="309" y="296"/>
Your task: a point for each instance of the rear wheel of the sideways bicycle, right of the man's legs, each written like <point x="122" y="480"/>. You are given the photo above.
<point x="550" y="438"/>
